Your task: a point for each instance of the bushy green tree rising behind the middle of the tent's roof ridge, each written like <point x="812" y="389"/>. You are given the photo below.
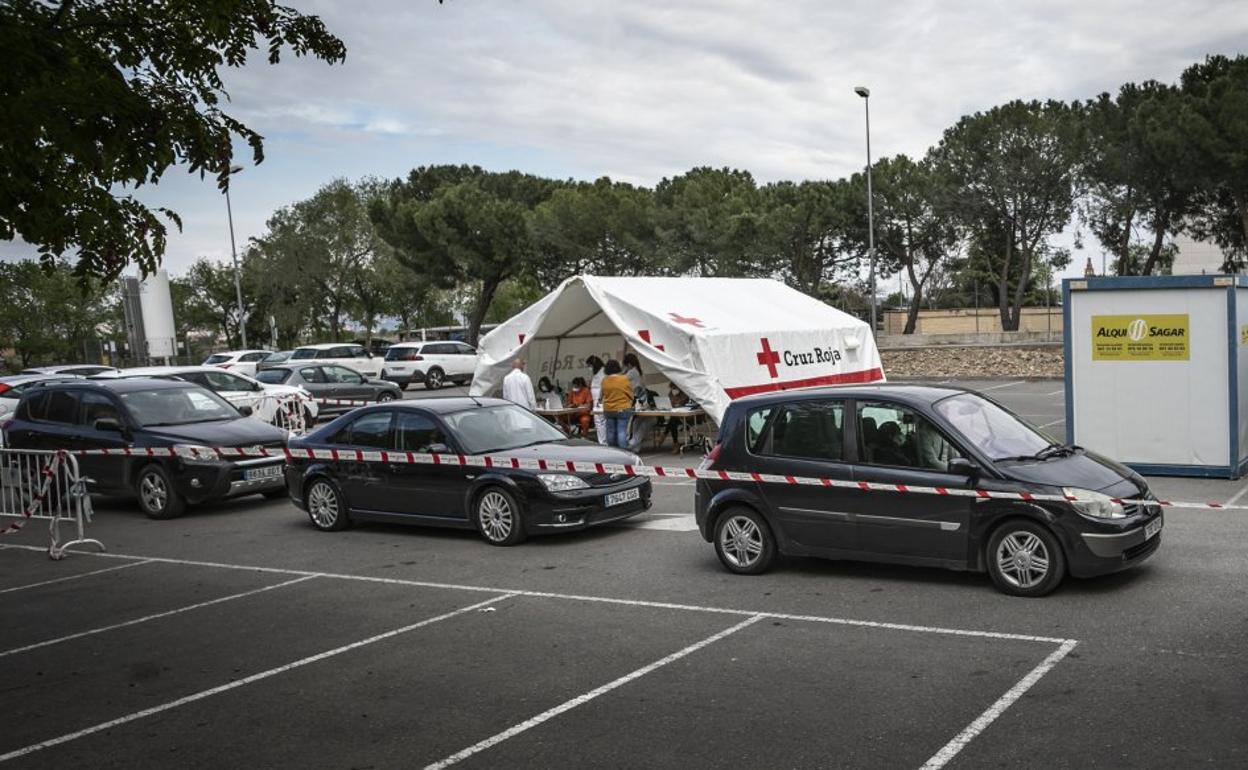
<point x="708" y="223"/>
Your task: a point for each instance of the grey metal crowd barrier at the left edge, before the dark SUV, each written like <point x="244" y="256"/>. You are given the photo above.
<point x="37" y="485"/>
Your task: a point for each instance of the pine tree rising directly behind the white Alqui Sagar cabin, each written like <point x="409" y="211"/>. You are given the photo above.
<point x="1136" y="167"/>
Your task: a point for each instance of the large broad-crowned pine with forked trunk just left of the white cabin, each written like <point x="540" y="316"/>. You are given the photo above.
<point x="1013" y="170"/>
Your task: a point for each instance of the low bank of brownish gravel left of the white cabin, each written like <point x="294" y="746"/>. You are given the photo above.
<point x="974" y="363"/>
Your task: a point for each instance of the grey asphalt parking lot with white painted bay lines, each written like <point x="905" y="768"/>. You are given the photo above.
<point x="240" y="636"/>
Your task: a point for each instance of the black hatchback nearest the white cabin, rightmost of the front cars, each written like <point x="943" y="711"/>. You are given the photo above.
<point x="920" y="436"/>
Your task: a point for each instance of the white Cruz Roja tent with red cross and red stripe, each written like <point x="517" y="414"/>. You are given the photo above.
<point x="716" y="339"/>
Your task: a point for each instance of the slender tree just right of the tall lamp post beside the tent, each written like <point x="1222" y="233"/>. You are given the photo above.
<point x="918" y="225"/>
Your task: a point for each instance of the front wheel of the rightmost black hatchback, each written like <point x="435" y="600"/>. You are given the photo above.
<point x="1025" y="560"/>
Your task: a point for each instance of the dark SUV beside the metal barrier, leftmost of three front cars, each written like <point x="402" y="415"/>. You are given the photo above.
<point x="159" y="414"/>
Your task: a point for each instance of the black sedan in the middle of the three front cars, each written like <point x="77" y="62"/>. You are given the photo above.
<point x="504" y="505"/>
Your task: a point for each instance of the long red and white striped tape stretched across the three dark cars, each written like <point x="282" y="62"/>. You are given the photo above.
<point x="676" y="472"/>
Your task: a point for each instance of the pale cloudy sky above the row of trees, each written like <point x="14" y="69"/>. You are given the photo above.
<point x="645" y="89"/>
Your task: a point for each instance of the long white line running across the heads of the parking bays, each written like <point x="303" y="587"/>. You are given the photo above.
<point x="726" y="611"/>
